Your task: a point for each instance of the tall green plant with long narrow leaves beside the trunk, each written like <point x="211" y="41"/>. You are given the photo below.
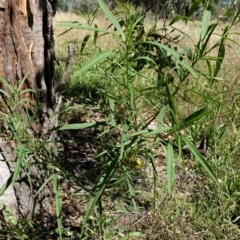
<point x="123" y="67"/>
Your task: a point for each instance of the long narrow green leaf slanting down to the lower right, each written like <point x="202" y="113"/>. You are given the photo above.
<point x="198" y="156"/>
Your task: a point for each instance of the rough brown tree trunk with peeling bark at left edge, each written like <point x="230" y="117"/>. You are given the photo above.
<point x="27" y="49"/>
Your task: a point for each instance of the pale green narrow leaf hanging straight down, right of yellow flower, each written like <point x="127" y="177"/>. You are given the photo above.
<point x="170" y="166"/>
